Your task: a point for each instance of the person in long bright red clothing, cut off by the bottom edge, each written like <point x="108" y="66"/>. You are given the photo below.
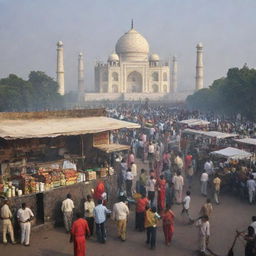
<point x="79" y="232"/>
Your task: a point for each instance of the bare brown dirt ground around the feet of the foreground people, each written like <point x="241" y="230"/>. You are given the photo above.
<point x="230" y="215"/>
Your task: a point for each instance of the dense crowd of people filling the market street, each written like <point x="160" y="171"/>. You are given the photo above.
<point x="167" y="178"/>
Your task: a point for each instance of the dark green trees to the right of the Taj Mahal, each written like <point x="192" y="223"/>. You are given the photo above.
<point x="230" y="95"/>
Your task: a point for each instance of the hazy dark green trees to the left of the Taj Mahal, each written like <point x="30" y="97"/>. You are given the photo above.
<point x="39" y="92"/>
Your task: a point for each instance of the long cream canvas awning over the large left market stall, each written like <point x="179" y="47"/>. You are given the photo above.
<point x="53" y="127"/>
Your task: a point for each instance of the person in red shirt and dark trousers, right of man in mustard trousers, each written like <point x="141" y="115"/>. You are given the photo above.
<point x="140" y="212"/>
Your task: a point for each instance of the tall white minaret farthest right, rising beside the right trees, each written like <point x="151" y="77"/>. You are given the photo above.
<point x="199" y="67"/>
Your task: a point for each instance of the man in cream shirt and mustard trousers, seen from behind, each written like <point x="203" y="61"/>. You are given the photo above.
<point x="120" y="214"/>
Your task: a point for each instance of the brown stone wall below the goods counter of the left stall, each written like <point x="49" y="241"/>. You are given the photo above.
<point x="52" y="199"/>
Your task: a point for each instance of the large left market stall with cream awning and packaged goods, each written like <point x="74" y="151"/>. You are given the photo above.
<point x="49" y="151"/>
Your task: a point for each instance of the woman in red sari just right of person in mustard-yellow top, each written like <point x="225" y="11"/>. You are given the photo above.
<point x="168" y="225"/>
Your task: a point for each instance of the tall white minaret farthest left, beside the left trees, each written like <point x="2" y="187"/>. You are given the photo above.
<point x="60" y="68"/>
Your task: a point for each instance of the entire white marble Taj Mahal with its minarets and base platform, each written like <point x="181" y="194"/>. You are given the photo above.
<point x="131" y="72"/>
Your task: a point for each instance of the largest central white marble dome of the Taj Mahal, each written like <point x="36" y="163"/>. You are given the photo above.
<point x="132" y="46"/>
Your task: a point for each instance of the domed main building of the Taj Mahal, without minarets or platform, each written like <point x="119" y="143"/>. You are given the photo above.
<point x="131" y="69"/>
